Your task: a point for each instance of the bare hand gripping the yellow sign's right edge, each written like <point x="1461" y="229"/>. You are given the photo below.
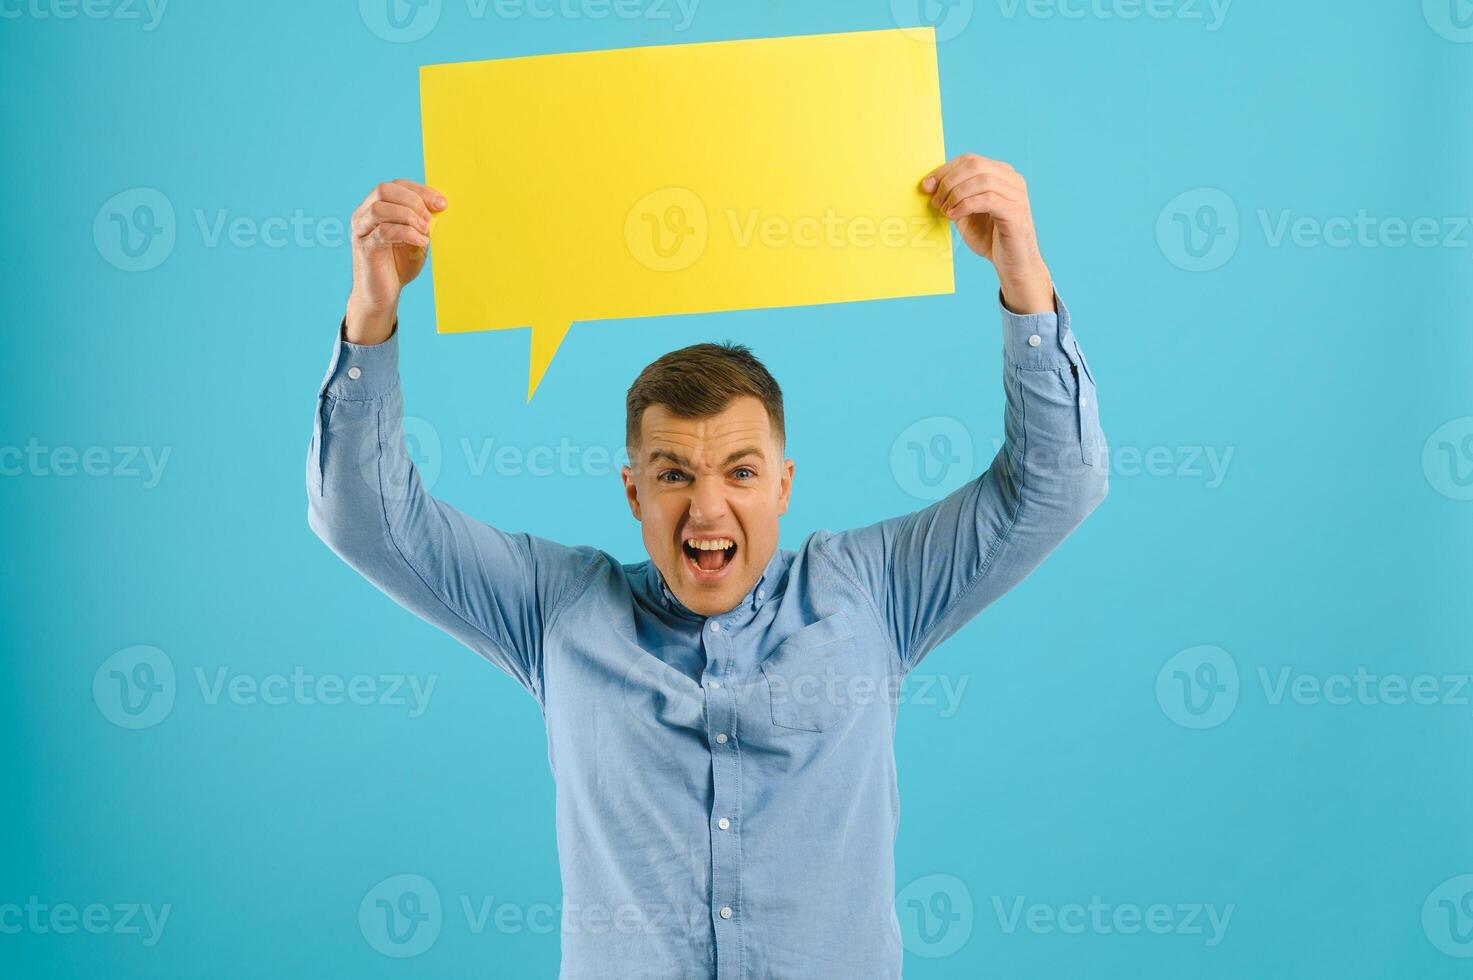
<point x="989" y="203"/>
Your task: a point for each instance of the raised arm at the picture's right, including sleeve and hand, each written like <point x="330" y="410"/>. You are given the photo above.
<point x="932" y="571"/>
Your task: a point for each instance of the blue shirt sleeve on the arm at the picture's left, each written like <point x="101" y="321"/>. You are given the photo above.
<point x="494" y="592"/>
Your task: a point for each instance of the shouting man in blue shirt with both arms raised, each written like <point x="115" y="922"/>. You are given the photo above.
<point x="721" y="717"/>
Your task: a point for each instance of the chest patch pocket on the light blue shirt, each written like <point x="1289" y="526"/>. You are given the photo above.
<point x="806" y="676"/>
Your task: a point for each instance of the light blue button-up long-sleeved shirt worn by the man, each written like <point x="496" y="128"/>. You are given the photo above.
<point x="727" y="799"/>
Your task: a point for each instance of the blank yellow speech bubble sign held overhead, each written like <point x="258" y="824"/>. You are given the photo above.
<point x="684" y="179"/>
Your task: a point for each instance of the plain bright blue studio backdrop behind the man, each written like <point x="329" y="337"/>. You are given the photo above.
<point x="1225" y="732"/>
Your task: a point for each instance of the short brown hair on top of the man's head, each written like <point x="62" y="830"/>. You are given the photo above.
<point x="702" y="381"/>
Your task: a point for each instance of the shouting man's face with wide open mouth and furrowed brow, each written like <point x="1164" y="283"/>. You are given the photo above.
<point x="709" y="494"/>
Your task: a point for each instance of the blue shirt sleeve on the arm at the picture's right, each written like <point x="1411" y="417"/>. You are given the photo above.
<point x="929" y="573"/>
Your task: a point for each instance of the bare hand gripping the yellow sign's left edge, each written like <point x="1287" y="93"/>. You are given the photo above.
<point x="391" y="237"/>
